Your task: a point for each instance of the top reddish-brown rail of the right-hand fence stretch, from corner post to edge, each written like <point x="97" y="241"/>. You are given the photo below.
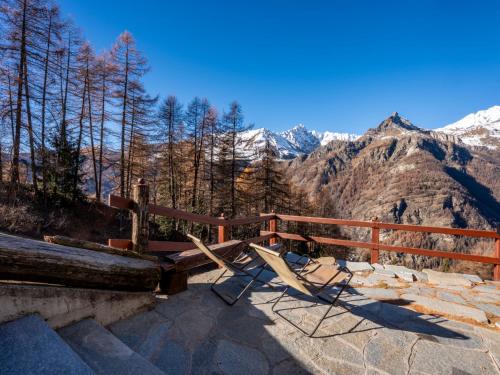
<point x="402" y="227"/>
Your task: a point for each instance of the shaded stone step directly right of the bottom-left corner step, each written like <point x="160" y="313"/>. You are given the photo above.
<point x="103" y="352"/>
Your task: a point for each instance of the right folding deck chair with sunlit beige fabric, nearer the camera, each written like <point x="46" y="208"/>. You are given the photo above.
<point x="311" y="280"/>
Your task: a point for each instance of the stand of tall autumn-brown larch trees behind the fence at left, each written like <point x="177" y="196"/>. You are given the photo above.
<point x="75" y="122"/>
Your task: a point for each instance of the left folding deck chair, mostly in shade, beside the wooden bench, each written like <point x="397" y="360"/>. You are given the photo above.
<point x="239" y="267"/>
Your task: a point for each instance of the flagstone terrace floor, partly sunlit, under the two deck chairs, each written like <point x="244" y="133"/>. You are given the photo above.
<point x="195" y="332"/>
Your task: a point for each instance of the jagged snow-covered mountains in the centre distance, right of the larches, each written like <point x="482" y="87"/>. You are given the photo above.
<point x="288" y="144"/>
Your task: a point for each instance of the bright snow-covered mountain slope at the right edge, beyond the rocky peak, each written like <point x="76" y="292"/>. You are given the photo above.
<point x="477" y="129"/>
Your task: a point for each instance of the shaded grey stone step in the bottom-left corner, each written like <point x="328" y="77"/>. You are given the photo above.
<point x="29" y="346"/>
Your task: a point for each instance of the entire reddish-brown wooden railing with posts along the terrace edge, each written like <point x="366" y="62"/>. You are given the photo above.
<point x="141" y="209"/>
